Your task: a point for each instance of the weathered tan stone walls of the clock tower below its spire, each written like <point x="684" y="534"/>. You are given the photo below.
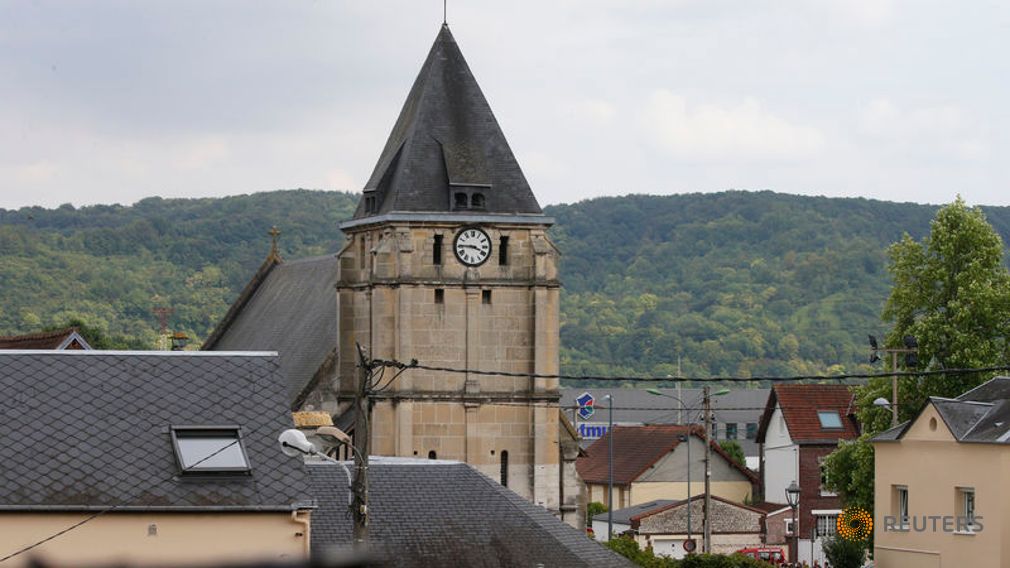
<point x="497" y="317"/>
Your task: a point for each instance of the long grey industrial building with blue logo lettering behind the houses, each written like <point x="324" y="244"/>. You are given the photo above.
<point x="636" y="407"/>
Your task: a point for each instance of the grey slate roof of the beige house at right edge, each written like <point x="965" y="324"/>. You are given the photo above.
<point x="979" y="416"/>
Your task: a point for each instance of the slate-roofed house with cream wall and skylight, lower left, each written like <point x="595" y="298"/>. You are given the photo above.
<point x="148" y="458"/>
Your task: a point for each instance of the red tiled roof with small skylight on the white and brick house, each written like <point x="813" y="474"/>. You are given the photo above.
<point x="800" y="405"/>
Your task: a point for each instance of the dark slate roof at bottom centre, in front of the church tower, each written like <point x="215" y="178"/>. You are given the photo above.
<point x="429" y="513"/>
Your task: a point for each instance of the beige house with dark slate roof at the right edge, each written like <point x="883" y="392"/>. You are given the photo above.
<point x="942" y="497"/>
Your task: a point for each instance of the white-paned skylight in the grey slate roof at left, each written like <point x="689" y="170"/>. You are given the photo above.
<point x="210" y="450"/>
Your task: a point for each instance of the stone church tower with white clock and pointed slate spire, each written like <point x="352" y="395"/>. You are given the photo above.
<point x="448" y="261"/>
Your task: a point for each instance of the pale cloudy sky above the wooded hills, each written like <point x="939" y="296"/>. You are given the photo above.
<point x="108" y="102"/>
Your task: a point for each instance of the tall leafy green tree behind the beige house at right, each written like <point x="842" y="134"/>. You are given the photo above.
<point x="952" y="293"/>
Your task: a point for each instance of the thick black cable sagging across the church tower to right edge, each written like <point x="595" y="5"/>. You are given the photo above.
<point x="414" y="364"/>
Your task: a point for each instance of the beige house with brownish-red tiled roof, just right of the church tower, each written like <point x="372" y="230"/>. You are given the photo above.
<point x="651" y="463"/>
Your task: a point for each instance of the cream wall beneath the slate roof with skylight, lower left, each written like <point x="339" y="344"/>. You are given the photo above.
<point x="150" y="539"/>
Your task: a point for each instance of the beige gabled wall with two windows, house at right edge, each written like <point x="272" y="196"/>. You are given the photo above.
<point x="933" y="466"/>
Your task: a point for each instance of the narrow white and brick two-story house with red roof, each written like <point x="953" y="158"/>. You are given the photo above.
<point x="802" y="424"/>
